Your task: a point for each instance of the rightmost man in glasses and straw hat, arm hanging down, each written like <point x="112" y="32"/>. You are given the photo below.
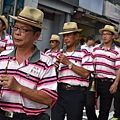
<point x="107" y="63"/>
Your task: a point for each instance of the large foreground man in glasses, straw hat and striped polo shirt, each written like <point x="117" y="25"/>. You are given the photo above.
<point x="27" y="76"/>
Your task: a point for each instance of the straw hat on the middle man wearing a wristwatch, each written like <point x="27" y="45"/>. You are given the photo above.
<point x="70" y="27"/>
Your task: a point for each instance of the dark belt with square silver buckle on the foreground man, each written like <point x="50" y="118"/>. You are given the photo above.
<point x="11" y="114"/>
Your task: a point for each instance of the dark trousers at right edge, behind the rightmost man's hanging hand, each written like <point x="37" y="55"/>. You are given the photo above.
<point x="117" y="103"/>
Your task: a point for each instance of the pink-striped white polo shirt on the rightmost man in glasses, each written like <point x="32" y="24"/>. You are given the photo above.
<point x="107" y="61"/>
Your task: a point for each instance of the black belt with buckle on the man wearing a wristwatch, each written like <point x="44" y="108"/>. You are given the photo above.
<point x="72" y="87"/>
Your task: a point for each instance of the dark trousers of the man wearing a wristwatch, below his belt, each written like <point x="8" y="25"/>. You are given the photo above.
<point x="70" y="103"/>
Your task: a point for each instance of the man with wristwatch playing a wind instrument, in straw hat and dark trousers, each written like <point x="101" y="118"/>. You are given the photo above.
<point x="74" y="68"/>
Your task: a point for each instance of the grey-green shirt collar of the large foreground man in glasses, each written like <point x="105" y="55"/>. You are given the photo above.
<point x="32" y="59"/>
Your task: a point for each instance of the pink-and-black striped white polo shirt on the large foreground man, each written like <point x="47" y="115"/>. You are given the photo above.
<point x="37" y="72"/>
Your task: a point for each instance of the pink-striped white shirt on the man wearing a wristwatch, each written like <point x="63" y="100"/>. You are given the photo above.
<point x="80" y="58"/>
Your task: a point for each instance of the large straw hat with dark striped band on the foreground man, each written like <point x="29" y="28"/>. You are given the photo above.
<point x="31" y="16"/>
